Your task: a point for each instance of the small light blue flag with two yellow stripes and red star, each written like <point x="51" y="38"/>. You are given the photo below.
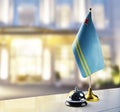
<point x="86" y="48"/>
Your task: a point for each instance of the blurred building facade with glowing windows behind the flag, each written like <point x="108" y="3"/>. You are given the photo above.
<point x="36" y="38"/>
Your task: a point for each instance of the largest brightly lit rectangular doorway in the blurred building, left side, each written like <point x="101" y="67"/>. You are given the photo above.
<point x="26" y="59"/>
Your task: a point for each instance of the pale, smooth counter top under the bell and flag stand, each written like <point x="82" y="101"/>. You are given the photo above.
<point x="109" y="102"/>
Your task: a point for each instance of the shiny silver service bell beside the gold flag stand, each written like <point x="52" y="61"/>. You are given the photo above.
<point x="76" y="98"/>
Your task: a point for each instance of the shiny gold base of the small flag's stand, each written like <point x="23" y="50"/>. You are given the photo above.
<point x="90" y="96"/>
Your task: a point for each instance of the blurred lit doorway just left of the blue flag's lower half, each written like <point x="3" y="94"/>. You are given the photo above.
<point x="64" y="65"/>
